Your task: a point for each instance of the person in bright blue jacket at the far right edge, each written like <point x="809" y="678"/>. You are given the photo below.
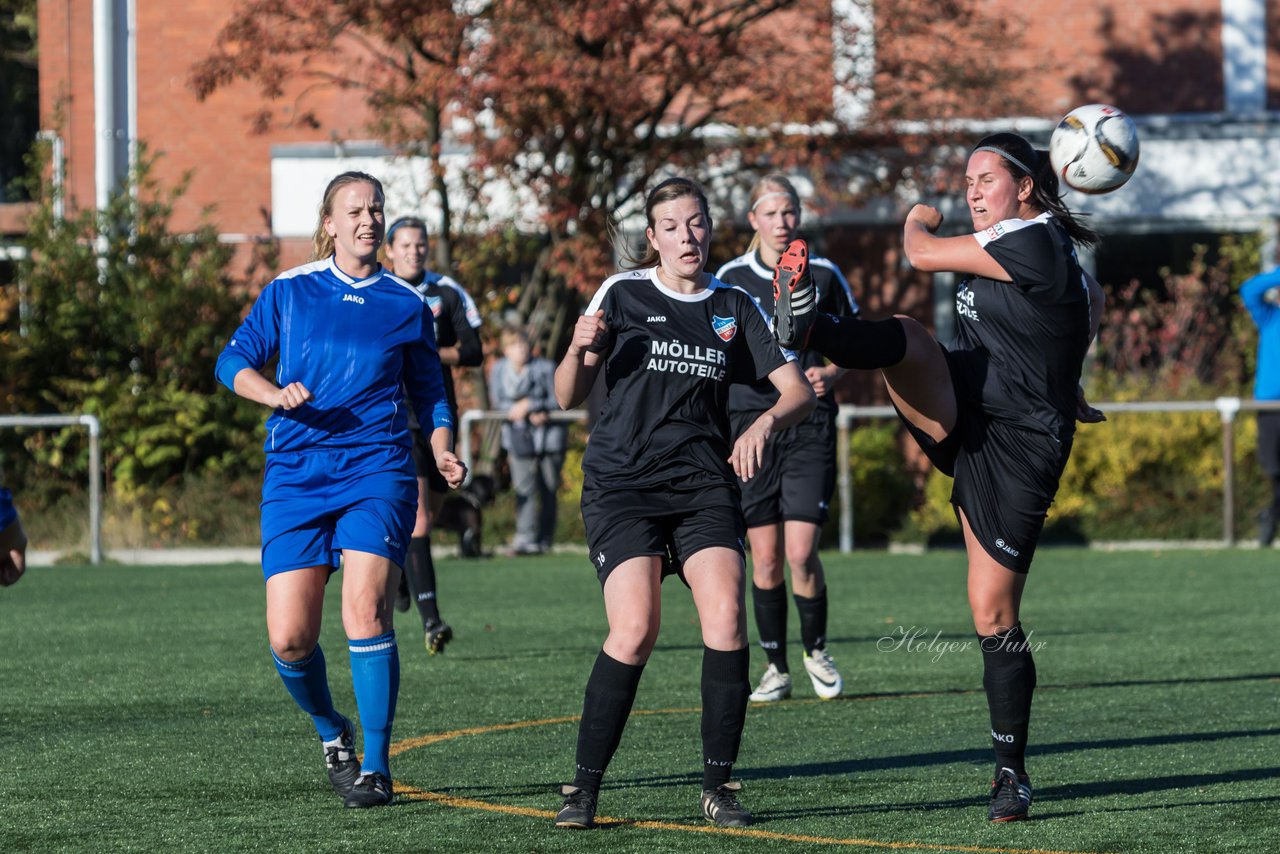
<point x="1261" y="298"/>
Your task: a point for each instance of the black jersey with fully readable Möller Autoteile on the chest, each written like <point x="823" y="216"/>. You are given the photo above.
<point x="669" y="363"/>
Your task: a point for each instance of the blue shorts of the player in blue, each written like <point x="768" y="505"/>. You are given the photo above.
<point x="322" y="501"/>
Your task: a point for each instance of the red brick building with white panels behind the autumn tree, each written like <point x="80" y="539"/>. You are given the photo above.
<point x="1203" y="79"/>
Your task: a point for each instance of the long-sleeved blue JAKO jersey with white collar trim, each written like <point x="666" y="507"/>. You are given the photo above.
<point x="351" y="344"/>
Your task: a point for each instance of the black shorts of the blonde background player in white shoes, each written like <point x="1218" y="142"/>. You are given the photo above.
<point x="798" y="477"/>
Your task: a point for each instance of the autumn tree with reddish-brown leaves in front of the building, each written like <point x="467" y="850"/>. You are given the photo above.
<point x="584" y="103"/>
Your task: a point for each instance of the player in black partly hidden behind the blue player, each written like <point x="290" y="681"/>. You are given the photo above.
<point x="458" y="340"/>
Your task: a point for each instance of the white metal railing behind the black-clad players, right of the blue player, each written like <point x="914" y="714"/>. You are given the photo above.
<point x="1228" y="409"/>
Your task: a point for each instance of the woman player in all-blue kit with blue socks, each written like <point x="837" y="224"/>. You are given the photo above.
<point x="340" y="485"/>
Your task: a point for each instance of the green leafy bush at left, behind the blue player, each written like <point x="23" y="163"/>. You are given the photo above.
<point x="129" y="335"/>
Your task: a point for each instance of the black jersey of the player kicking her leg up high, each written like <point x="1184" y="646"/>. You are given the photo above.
<point x="1020" y="348"/>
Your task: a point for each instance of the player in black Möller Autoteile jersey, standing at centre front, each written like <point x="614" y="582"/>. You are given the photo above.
<point x="660" y="482"/>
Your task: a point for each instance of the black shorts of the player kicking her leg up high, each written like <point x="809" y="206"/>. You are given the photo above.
<point x="1005" y="481"/>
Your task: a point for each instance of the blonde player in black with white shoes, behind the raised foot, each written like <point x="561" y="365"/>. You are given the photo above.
<point x="787" y="505"/>
